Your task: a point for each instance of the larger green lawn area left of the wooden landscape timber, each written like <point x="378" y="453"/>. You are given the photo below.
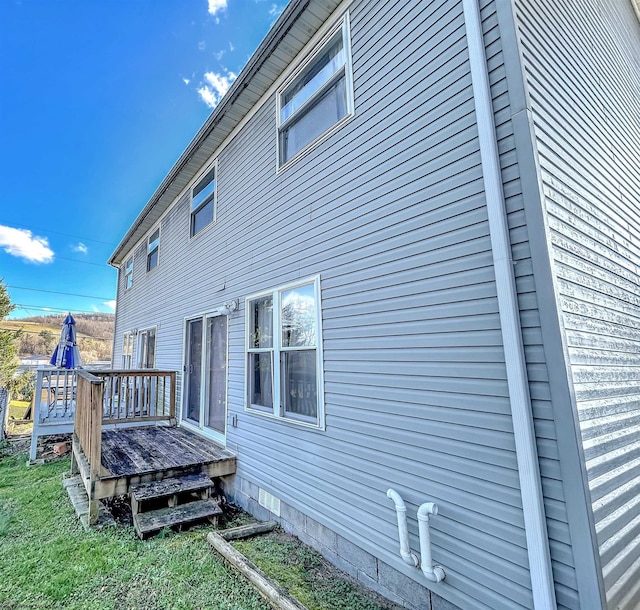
<point x="48" y="561"/>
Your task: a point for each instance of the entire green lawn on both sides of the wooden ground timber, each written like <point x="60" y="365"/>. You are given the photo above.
<point x="48" y="561"/>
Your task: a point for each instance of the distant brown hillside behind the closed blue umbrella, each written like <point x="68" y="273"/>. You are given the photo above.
<point x="40" y="334"/>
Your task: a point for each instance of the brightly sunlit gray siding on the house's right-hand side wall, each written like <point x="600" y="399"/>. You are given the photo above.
<point x="583" y="70"/>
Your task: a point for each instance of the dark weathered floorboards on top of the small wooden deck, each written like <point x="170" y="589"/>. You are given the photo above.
<point x="129" y="452"/>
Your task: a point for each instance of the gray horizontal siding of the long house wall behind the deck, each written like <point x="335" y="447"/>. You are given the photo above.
<point x="390" y="212"/>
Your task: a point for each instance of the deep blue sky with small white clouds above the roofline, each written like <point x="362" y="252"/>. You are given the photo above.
<point x="97" y="101"/>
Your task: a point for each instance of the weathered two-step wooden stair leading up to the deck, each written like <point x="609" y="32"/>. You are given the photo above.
<point x="173" y="502"/>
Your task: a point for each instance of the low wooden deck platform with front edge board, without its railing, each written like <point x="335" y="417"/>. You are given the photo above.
<point x="135" y="455"/>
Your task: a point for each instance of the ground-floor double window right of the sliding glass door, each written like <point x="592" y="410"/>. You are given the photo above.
<point x="284" y="359"/>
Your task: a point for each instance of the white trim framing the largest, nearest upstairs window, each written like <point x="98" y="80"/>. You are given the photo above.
<point x="309" y="56"/>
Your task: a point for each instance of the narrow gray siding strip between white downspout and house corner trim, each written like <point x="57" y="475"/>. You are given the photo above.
<point x="561" y="549"/>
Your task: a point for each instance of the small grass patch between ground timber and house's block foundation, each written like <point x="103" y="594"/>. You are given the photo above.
<point x="306" y="575"/>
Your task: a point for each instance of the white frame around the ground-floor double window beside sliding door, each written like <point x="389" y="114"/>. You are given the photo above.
<point x="277" y="413"/>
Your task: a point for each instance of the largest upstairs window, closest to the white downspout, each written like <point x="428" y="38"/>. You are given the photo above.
<point x="319" y="95"/>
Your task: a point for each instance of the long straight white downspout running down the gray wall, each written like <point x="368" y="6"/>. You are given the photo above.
<point x="521" y="414"/>
